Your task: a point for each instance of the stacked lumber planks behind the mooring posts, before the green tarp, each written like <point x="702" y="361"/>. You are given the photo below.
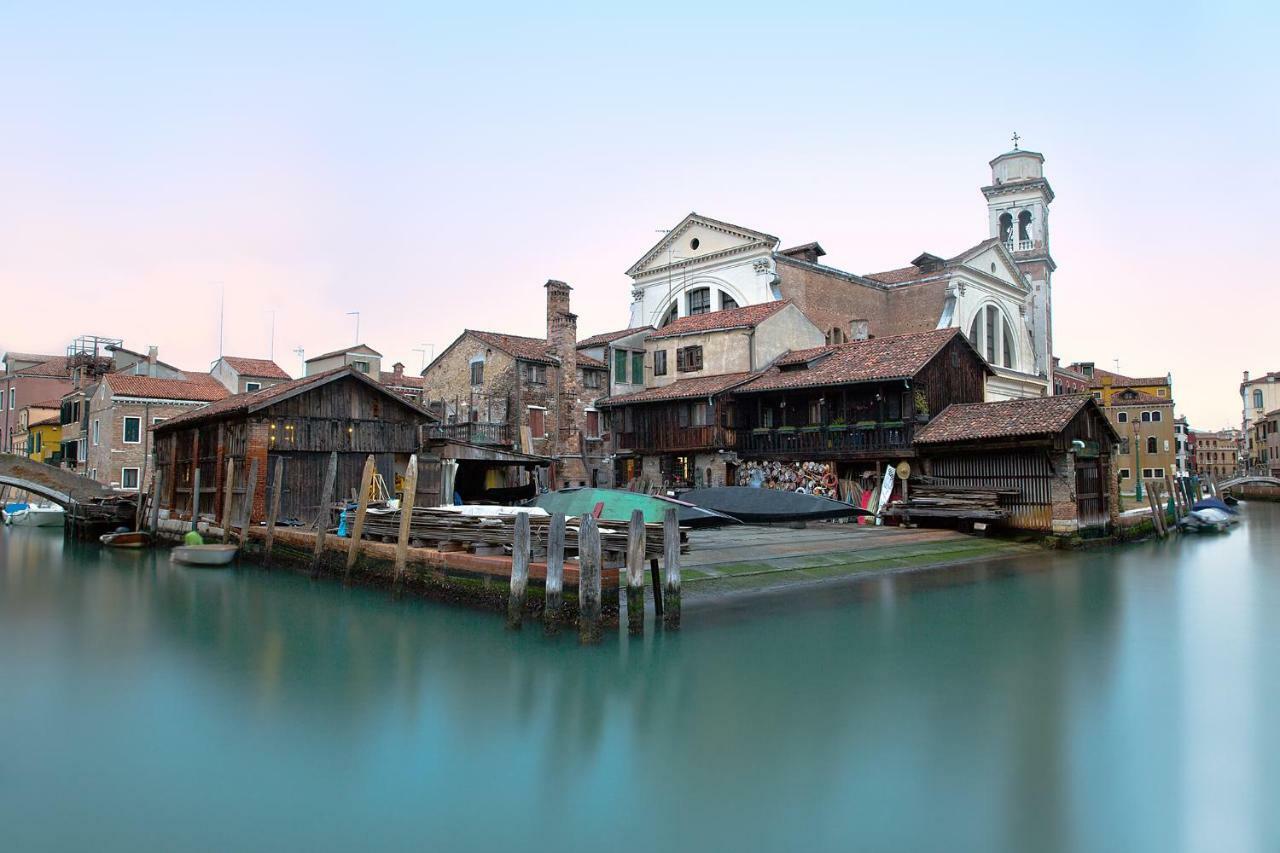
<point x="442" y="526"/>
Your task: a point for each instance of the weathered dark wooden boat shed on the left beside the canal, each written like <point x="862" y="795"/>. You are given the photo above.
<point x="298" y="425"/>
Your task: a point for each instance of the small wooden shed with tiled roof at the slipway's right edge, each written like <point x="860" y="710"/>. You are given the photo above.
<point x="1054" y="453"/>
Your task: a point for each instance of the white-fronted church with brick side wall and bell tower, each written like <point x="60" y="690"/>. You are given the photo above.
<point x="998" y="291"/>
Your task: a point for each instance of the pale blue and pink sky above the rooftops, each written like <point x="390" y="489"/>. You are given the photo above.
<point x="432" y="170"/>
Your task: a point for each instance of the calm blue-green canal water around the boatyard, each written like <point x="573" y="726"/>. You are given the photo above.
<point x="1117" y="701"/>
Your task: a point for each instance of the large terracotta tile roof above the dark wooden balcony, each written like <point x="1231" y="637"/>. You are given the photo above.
<point x="898" y="357"/>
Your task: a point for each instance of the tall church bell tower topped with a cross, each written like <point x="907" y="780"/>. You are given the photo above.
<point x="1018" y="203"/>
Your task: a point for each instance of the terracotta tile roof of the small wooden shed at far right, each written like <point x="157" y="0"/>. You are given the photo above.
<point x="1008" y="419"/>
